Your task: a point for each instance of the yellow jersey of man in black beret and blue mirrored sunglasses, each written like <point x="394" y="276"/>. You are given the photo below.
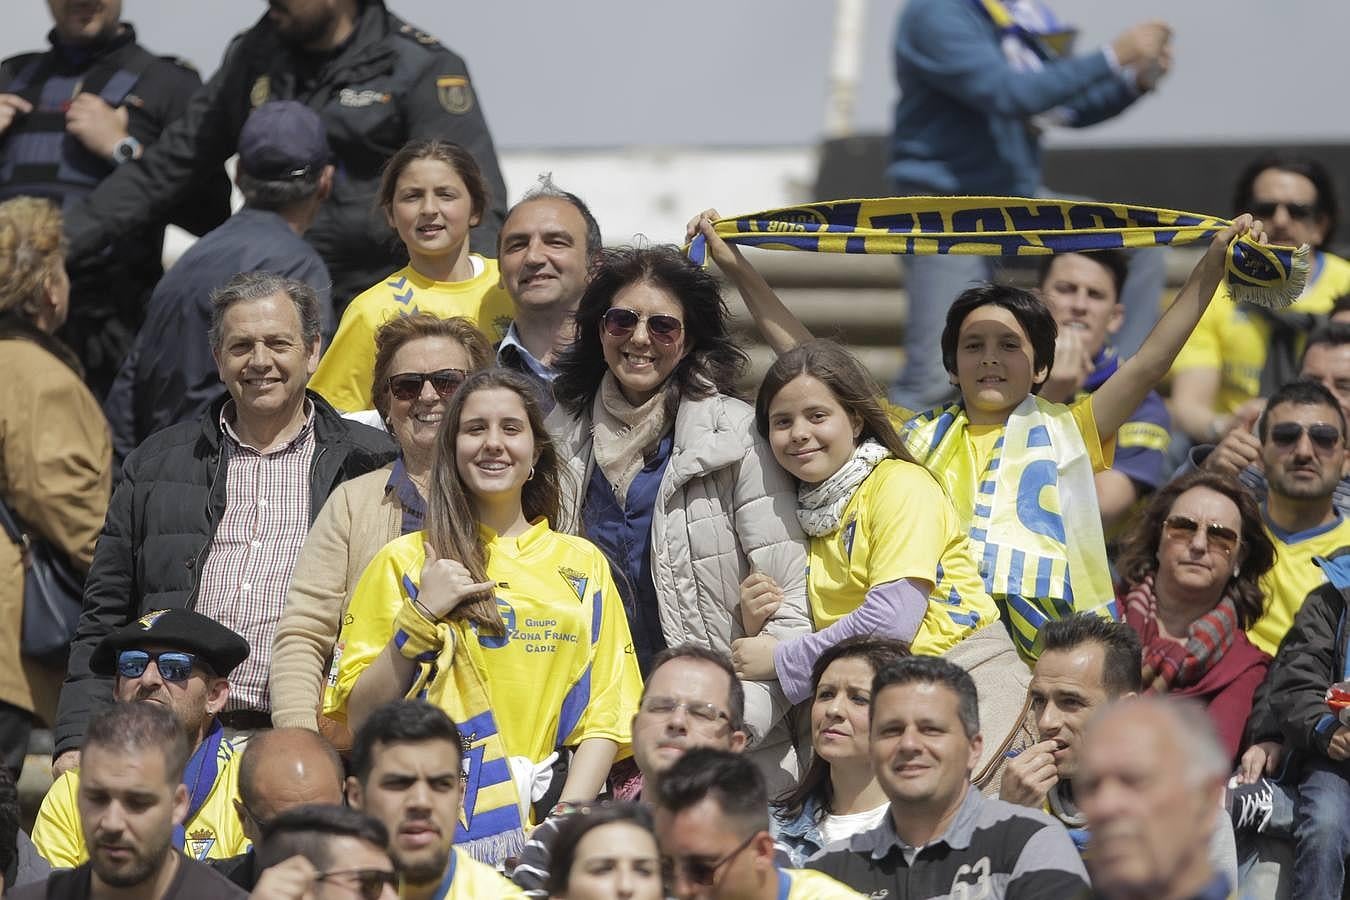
<point x="215" y="833"/>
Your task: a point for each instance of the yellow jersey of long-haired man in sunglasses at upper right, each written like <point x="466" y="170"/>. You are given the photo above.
<point x="1235" y="341"/>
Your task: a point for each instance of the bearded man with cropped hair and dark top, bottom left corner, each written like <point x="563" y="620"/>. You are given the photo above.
<point x="133" y="802"/>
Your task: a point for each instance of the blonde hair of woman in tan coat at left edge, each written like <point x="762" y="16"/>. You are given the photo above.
<point x="33" y="248"/>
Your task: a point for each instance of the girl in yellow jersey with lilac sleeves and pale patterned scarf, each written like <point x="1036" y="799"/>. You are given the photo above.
<point x="889" y="557"/>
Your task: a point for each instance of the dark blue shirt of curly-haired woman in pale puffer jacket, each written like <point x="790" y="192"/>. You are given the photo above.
<point x="624" y="535"/>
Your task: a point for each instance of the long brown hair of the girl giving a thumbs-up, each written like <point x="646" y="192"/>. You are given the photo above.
<point x="452" y="522"/>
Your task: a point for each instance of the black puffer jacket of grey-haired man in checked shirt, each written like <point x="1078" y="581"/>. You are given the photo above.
<point x="161" y="520"/>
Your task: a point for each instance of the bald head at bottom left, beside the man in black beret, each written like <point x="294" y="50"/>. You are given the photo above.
<point x="283" y="770"/>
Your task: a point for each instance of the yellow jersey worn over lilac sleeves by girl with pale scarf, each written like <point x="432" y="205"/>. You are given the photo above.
<point x="901" y="524"/>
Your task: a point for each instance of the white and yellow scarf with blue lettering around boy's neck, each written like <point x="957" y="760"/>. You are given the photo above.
<point x="1033" y="517"/>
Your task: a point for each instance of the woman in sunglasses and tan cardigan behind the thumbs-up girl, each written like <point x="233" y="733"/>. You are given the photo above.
<point x="421" y="360"/>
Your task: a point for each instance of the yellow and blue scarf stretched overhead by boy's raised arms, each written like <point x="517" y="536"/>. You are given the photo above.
<point x="1271" y="277"/>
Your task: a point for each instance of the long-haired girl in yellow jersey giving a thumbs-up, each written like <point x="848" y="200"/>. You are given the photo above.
<point x="514" y="629"/>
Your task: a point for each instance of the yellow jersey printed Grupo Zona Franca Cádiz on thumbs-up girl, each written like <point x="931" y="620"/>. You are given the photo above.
<point x="565" y="671"/>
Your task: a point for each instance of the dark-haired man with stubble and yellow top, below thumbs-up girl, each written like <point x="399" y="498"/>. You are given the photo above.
<point x="407" y="763"/>
